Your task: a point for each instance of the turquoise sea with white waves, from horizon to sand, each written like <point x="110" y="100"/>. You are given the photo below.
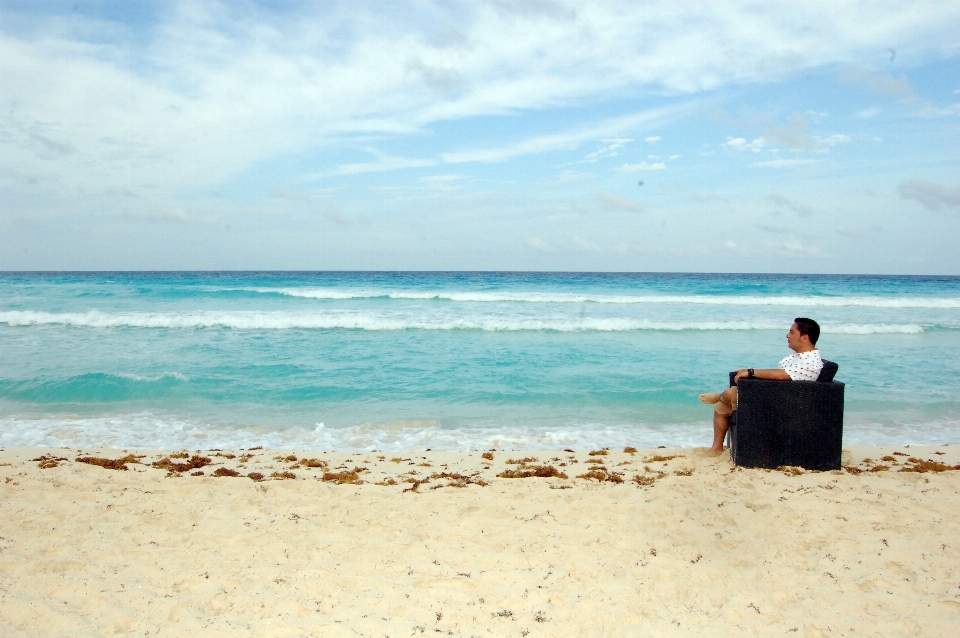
<point x="398" y="360"/>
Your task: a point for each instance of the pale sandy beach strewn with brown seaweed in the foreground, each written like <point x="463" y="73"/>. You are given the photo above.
<point x="682" y="546"/>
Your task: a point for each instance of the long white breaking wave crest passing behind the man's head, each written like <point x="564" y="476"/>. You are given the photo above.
<point x="320" y="321"/>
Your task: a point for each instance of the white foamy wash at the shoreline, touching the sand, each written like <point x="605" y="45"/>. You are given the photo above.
<point x="149" y="431"/>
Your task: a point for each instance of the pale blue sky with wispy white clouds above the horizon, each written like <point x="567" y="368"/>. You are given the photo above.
<point x="796" y="136"/>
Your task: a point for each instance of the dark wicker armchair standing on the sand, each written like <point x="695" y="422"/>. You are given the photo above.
<point x="796" y="423"/>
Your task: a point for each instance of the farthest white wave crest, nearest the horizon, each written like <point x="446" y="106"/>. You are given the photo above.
<point x="537" y="297"/>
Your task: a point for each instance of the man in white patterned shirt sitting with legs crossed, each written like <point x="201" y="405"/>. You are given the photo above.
<point x="804" y="365"/>
